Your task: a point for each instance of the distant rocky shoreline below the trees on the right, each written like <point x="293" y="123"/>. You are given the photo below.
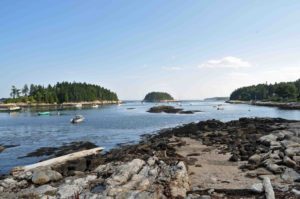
<point x="282" y="105"/>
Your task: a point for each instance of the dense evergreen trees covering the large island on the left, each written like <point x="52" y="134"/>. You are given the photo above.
<point x="60" y="93"/>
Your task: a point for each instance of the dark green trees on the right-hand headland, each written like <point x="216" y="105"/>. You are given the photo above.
<point x="283" y="91"/>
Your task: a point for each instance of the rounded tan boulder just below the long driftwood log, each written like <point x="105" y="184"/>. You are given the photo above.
<point x="44" y="175"/>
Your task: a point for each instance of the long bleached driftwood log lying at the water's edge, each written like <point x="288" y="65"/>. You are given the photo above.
<point x="58" y="160"/>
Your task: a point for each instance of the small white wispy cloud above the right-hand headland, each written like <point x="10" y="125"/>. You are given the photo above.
<point x="225" y="62"/>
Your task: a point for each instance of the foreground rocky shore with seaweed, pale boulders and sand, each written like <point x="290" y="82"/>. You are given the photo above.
<point x="249" y="158"/>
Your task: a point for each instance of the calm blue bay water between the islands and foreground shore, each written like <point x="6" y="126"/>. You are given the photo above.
<point x="108" y="125"/>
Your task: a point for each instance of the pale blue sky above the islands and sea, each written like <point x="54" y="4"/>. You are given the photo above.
<point x="192" y="49"/>
